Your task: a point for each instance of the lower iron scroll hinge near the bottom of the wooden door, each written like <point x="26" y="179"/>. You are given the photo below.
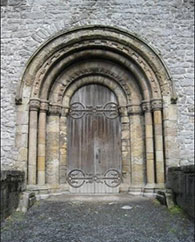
<point x="76" y="178"/>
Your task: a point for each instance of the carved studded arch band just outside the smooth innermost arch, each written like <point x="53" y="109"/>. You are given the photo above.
<point x="119" y="78"/>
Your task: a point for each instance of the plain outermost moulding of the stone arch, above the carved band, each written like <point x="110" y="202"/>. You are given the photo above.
<point x="123" y="36"/>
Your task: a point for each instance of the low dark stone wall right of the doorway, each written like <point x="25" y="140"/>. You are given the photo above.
<point x="182" y="182"/>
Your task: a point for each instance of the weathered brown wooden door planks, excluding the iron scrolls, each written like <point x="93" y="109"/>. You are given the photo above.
<point x="94" y="141"/>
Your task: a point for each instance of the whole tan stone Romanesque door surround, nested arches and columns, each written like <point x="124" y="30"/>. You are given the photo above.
<point x="145" y="96"/>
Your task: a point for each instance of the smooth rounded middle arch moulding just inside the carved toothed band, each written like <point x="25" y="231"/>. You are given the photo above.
<point x="146" y="80"/>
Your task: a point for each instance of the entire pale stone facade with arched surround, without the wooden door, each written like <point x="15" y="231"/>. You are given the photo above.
<point x="142" y="51"/>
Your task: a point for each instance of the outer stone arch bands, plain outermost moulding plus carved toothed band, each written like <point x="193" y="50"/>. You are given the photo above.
<point x="122" y="42"/>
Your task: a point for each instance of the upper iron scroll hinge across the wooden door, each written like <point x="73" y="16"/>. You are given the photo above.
<point x="109" y="110"/>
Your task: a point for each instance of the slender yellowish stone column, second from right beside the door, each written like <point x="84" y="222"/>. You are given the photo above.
<point x="149" y="144"/>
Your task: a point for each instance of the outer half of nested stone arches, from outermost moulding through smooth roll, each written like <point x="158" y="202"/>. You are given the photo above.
<point x="109" y="43"/>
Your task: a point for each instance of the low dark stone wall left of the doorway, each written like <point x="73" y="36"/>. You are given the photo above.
<point x="12" y="184"/>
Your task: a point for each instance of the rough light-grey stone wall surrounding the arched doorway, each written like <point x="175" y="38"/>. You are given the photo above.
<point x="165" y="25"/>
